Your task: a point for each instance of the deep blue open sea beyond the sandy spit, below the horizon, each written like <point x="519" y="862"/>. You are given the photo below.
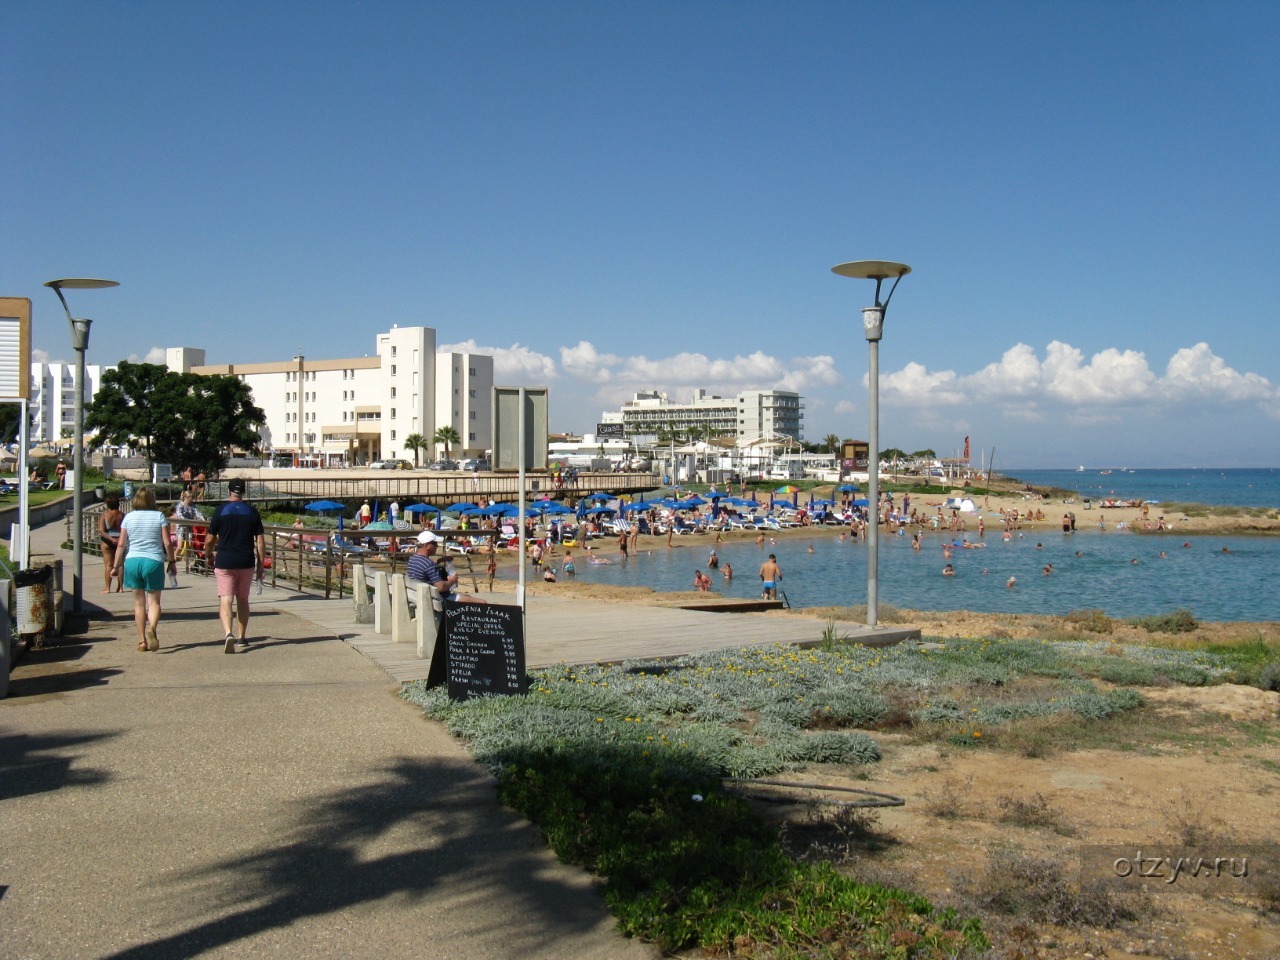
<point x="1236" y="487"/>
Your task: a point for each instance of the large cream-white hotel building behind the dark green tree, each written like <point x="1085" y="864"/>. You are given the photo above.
<point x="360" y="410"/>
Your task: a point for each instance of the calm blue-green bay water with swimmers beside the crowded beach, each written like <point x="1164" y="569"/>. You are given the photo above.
<point x="1092" y="570"/>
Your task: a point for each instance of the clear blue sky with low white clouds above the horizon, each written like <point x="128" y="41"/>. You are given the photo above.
<point x="625" y="196"/>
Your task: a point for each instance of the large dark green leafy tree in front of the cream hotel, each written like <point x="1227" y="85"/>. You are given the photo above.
<point x="180" y="419"/>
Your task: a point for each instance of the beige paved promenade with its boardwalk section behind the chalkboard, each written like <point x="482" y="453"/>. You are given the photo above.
<point x="285" y="801"/>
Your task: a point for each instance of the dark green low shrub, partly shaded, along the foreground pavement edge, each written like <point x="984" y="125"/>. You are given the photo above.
<point x="689" y="865"/>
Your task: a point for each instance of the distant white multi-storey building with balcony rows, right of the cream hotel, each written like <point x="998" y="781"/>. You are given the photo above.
<point x="749" y="415"/>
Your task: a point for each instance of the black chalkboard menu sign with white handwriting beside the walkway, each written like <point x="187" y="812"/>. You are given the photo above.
<point x="479" y="651"/>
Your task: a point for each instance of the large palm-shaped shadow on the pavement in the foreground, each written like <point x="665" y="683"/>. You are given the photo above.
<point x="442" y="843"/>
